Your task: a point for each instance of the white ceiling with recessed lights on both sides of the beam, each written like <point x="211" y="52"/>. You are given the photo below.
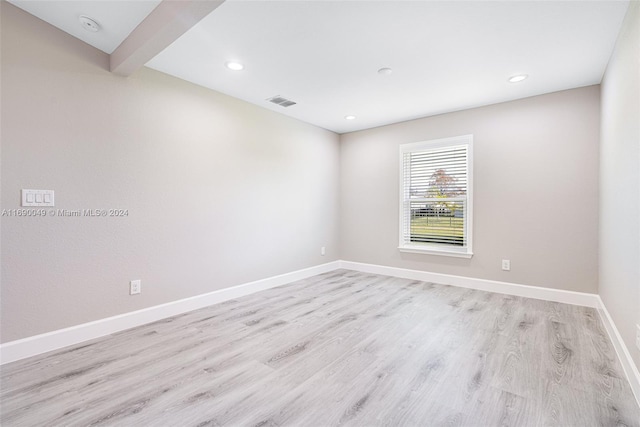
<point x="324" y="55"/>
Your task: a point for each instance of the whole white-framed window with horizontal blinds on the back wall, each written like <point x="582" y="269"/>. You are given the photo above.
<point x="436" y="196"/>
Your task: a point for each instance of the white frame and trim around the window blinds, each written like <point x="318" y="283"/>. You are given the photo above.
<point x="465" y="251"/>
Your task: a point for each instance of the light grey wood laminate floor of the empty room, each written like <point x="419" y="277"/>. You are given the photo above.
<point x="342" y="348"/>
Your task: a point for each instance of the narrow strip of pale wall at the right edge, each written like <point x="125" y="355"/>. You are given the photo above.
<point x="620" y="182"/>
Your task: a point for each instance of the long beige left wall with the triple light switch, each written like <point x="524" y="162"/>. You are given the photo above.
<point x="219" y="192"/>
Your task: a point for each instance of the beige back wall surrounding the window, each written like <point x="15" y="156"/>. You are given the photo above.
<point x="535" y="191"/>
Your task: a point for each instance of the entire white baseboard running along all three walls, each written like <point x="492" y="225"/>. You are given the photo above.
<point x="38" y="344"/>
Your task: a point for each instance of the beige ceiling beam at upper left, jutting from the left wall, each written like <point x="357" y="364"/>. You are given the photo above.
<point x="168" y="21"/>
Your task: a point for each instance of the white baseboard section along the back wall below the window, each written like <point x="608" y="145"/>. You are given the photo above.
<point x="547" y="294"/>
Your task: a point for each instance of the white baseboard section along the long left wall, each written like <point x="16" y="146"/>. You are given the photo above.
<point x="38" y="344"/>
